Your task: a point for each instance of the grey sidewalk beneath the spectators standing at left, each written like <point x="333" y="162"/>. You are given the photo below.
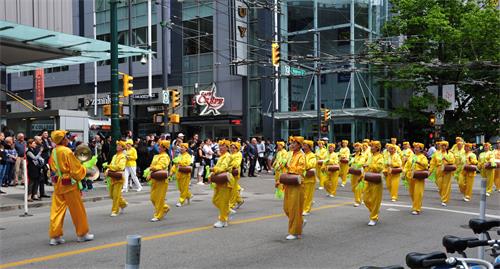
<point x="14" y="199"/>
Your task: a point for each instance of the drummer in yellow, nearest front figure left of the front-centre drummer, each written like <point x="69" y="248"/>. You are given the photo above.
<point x="222" y="192"/>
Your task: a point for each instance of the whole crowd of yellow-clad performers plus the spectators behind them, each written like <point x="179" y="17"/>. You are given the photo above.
<point x="300" y="167"/>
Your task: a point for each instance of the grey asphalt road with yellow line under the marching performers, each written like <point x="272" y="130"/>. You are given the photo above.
<point x="336" y="236"/>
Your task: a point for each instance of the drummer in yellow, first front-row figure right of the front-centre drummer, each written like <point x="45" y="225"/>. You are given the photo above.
<point x="373" y="192"/>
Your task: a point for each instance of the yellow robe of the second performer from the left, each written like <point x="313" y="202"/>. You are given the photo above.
<point x="117" y="164"/>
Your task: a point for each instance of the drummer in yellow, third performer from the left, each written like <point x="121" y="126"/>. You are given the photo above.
<point x="159" y="187"/>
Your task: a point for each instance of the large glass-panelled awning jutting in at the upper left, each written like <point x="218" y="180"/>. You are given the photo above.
<point x="25" y="48"/>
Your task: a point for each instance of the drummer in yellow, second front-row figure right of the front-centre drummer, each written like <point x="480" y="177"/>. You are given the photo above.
<point x="417" y="162"/>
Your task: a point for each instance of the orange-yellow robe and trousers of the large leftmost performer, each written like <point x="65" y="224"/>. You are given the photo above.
<point x="67" y="196"/>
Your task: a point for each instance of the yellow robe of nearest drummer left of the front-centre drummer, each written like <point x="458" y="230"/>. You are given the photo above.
<point x="222" y="192"/>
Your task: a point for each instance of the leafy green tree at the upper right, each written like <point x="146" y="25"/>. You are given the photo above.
<point x="438" y="42"/>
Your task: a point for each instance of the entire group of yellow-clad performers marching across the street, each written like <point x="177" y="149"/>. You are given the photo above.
<point x="298" y="166"/>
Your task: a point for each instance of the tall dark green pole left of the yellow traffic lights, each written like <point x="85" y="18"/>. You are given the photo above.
<point x="115" y="117"/>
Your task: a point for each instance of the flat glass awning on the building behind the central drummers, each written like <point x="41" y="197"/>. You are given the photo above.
<point x="364" y="112"/>
